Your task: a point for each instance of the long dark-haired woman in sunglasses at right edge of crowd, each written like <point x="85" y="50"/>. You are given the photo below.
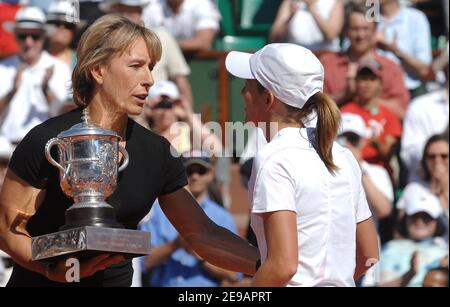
<point x="434" y="172"/>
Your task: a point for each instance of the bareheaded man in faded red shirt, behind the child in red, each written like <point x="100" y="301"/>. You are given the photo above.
<point x="340" y="68"/>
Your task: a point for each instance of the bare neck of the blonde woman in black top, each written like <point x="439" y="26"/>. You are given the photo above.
<point x="103" y="115"/>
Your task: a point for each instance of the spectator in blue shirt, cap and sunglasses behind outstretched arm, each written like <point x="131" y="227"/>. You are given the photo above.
<point x="173" y="262"/>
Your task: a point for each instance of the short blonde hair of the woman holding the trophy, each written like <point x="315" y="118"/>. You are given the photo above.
<point x="109" y="36"/>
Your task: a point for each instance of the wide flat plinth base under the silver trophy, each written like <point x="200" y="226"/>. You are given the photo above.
<point x="84" y="242"/>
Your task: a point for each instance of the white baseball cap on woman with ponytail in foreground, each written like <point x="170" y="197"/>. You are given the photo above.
<point x="292" y="73"/>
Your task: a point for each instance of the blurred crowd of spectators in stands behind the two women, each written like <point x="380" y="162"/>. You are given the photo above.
<point x="386" y="66"/>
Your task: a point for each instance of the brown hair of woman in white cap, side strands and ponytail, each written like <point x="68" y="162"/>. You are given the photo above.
<point x="328" y="122"/>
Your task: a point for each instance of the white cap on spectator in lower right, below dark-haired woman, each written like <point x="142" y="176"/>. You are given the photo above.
<point x="423" y="201"/>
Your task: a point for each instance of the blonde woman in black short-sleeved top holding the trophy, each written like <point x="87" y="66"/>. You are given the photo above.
<point x="115" y="58"/>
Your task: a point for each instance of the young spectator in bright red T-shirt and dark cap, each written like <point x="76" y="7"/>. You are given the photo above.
<point x="384" y="127"/>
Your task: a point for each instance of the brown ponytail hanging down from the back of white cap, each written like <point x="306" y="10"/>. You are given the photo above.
<point x="328" y="121"/>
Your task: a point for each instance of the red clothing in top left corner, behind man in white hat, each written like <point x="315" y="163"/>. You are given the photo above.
<point x="8" y="10"/>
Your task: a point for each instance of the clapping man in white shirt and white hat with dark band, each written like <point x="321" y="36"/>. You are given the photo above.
<point x="33" y="84"/>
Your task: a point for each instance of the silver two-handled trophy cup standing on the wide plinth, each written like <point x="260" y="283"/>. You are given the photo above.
<point x="88" y="171"/>
